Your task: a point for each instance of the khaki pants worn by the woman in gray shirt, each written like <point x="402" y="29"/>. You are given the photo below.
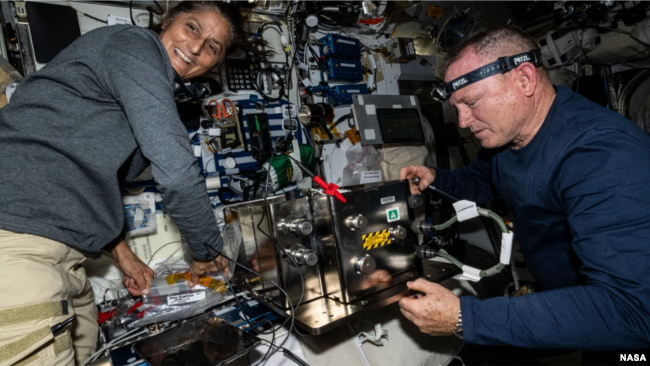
<point x="41" y="284"/>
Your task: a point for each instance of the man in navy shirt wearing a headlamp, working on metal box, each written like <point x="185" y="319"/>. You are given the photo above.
<point x="577" y="179"/>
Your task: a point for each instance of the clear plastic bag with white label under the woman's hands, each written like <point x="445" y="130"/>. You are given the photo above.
<point x="170" y="299"/>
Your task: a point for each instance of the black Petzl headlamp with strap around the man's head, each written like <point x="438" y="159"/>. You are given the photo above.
<point x="442" y="91"/>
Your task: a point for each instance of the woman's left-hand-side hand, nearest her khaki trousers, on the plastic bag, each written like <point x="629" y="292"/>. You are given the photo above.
<point x="137" y="275"/>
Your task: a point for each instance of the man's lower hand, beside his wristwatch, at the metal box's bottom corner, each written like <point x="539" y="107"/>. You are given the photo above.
<point x="435" y="312"/>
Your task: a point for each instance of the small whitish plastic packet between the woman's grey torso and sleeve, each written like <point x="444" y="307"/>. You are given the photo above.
<point x="140" y="214"/>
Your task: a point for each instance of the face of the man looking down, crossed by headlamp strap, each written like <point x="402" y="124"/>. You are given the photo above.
<point x="491" y="108"/>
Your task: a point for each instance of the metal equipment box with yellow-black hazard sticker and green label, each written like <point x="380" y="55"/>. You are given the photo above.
<point x="361" y="262"/>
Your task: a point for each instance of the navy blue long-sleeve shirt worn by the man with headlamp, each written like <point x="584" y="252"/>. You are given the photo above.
<point x="580" y="194"/>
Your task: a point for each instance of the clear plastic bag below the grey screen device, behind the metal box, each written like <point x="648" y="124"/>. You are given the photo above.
<point x="364" y="166"/>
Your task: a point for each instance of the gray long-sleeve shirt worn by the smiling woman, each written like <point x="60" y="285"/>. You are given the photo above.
<point x="92" y="117"/>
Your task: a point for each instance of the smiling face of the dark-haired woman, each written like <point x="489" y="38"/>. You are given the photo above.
<point x="195" y="42"/>
